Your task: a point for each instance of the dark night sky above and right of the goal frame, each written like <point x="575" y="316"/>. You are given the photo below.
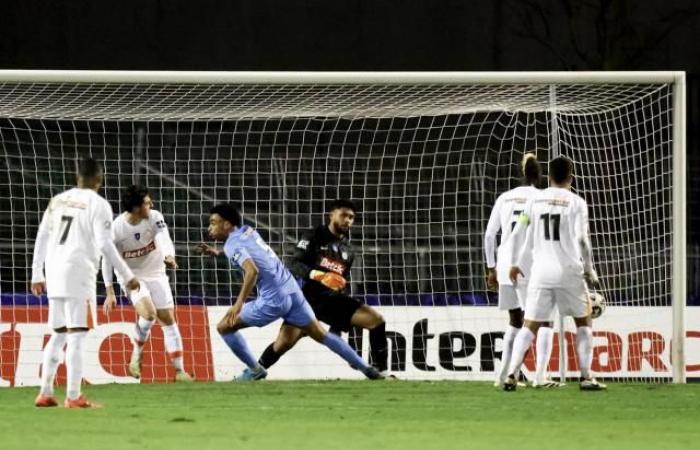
<point x="368" y="35"/>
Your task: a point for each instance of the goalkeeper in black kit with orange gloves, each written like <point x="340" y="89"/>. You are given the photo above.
<point x="322" y="264"/>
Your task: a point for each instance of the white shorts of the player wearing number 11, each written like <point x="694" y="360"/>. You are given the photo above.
<point x="571" y="301"/>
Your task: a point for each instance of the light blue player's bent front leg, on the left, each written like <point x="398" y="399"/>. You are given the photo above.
<point x="256" y="314"/>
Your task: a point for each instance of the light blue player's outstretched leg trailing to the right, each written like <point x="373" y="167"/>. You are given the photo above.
<point x="302" y="316"/>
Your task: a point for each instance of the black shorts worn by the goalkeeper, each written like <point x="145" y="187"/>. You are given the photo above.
<point x="332" y="308"/>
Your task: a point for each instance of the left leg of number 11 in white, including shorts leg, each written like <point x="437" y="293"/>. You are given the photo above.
<point x="538" y="309"/>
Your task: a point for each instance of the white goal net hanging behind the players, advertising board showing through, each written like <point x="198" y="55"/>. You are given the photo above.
<point x="424" y="157"/>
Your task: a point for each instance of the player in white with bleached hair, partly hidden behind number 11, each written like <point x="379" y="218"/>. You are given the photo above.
<point x="511" y="297"/>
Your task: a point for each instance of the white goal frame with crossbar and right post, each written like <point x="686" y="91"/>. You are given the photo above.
<point x="674" y="78"/>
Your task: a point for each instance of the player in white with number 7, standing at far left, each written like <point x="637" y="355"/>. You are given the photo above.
<point x="73" y="232"/>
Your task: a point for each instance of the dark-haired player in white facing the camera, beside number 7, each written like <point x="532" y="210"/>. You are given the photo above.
<point x="141" y="236"/>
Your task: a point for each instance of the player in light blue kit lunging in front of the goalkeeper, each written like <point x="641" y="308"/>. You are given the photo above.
<point x="279" y="295"/>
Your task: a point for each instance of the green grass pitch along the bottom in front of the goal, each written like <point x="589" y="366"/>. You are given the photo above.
<point x="356" y="415"/>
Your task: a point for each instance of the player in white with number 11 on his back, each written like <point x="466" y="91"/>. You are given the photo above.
<point x="562" y="265"/>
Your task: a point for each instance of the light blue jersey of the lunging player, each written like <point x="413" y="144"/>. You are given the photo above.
<point x="274" y="280"/>
